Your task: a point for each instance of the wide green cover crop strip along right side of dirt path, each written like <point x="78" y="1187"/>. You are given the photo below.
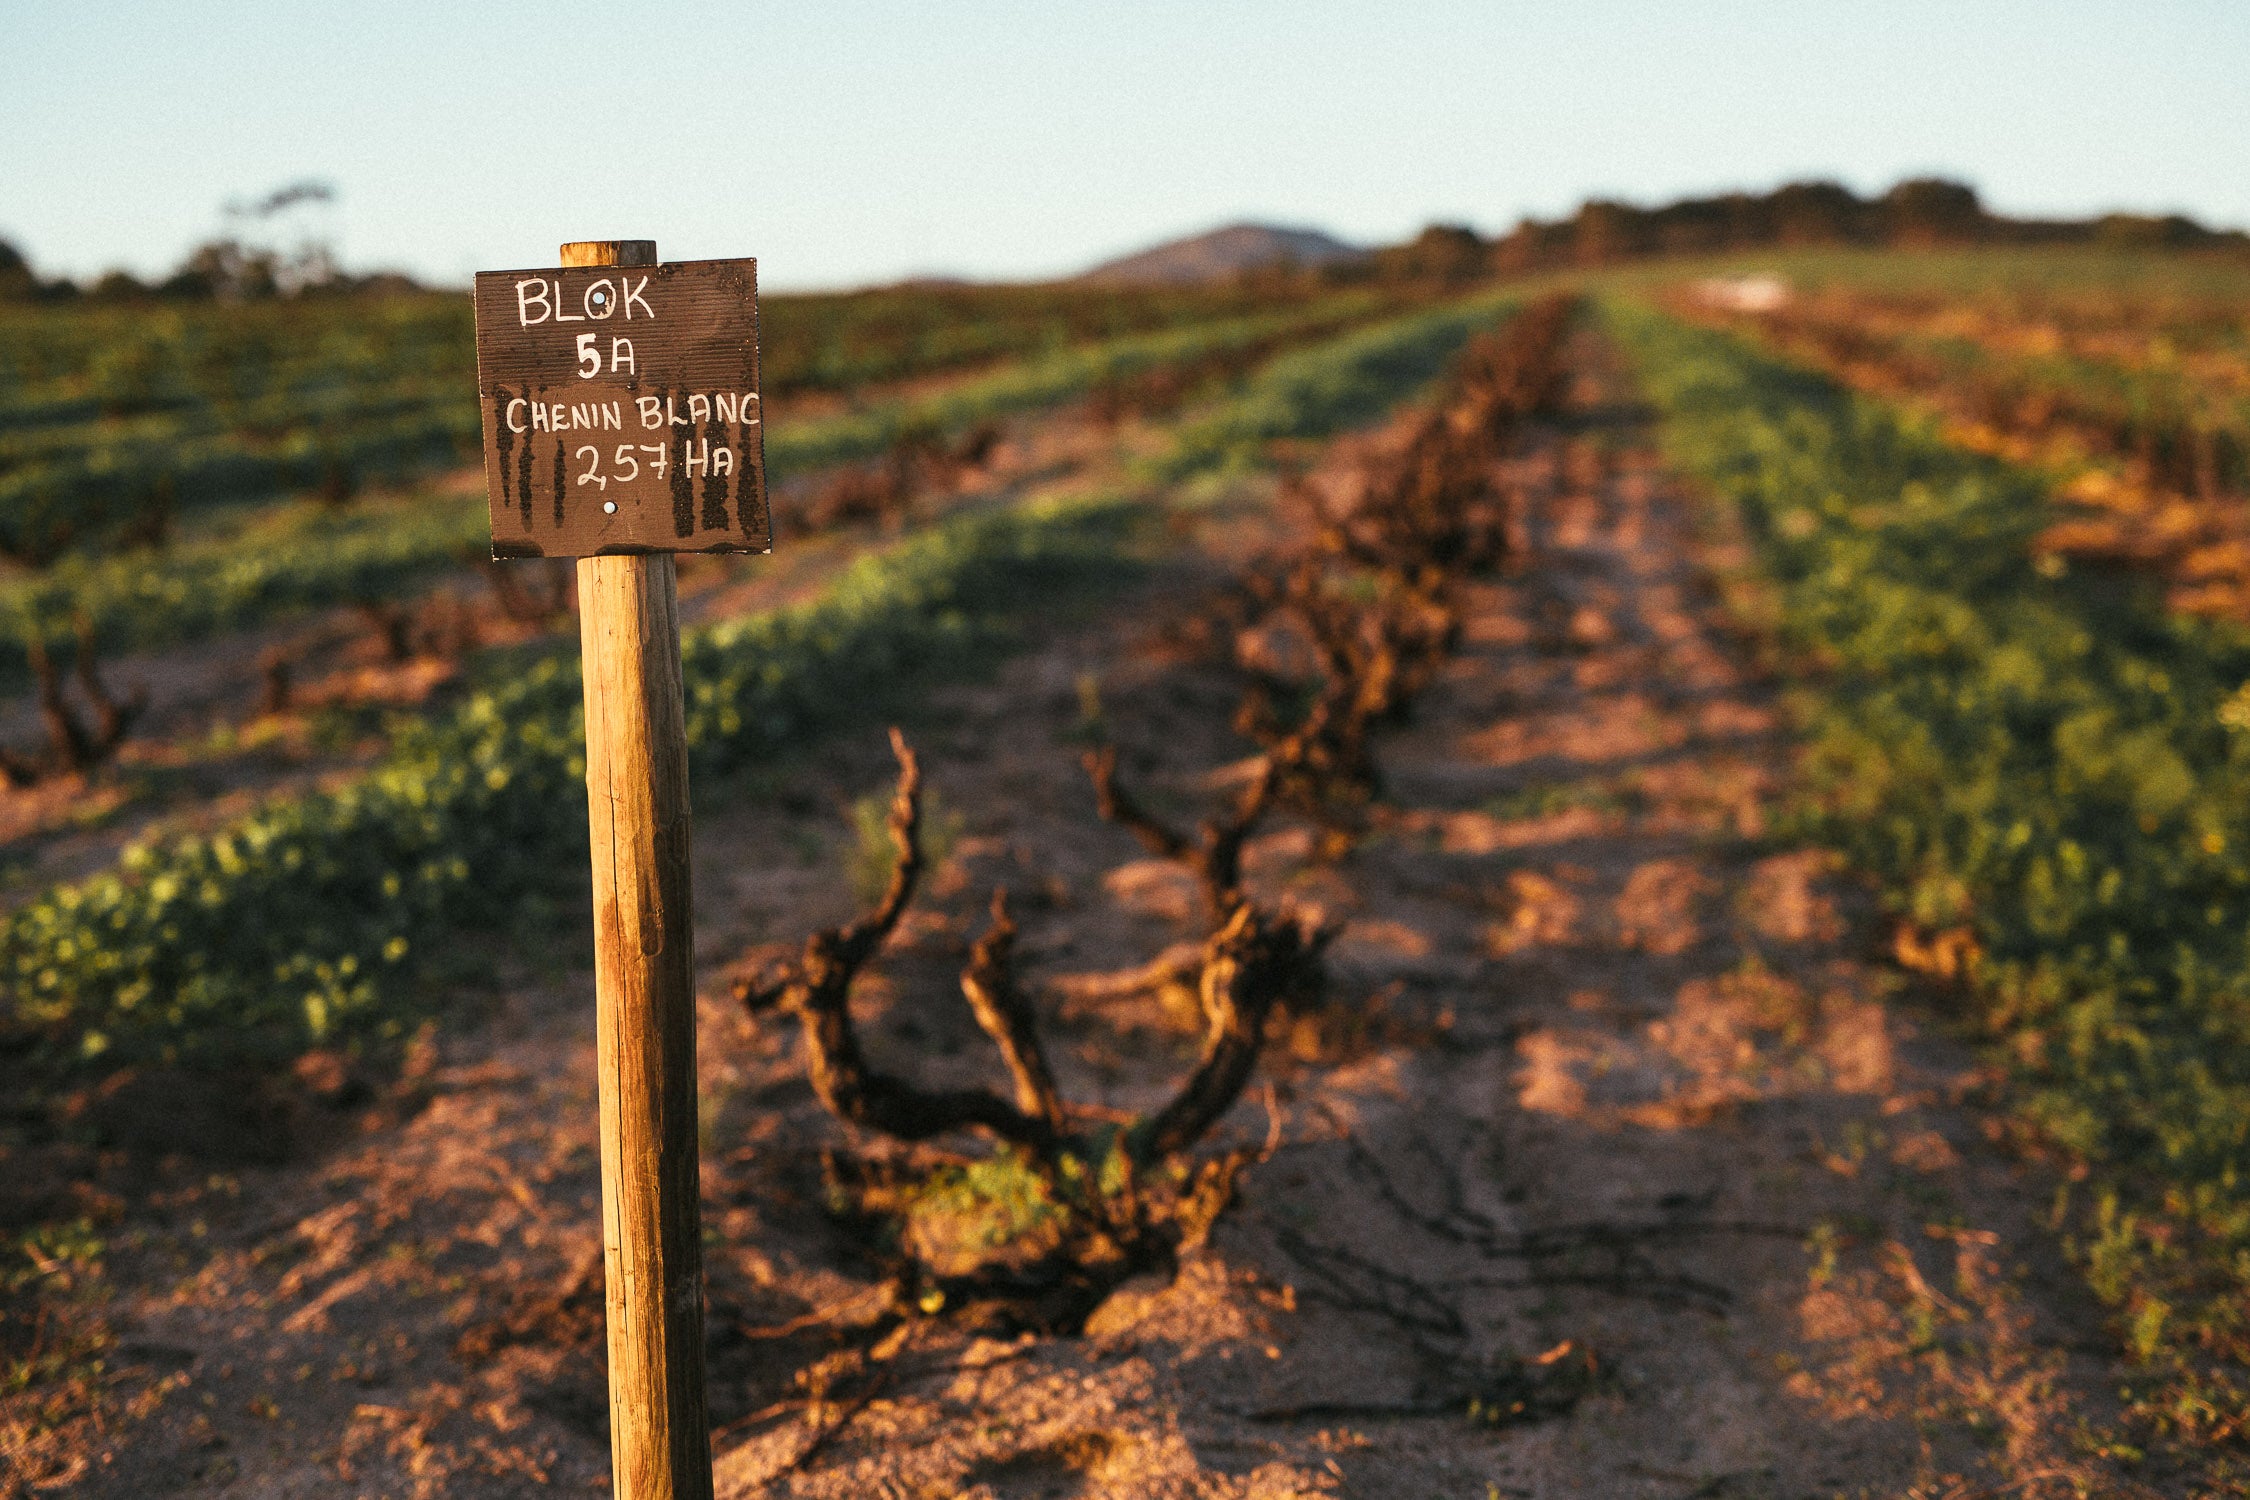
<point x="2046" y="761"/>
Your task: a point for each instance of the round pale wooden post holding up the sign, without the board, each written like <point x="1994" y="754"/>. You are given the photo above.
<point x="645" y="1006"/>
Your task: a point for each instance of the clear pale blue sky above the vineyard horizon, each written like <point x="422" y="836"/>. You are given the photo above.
<point x="849" y="143"/>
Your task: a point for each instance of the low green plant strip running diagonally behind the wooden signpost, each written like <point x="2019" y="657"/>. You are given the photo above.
<point x="307" y="921"/>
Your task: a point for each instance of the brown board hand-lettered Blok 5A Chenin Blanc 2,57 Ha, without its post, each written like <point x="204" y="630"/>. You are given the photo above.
<point x="622" y="410"/>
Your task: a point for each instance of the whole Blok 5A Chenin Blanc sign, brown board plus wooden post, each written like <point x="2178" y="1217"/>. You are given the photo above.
<point x="622" y="426"/>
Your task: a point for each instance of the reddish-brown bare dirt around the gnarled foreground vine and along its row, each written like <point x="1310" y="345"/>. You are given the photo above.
<point x="1619" y="1126"/>
